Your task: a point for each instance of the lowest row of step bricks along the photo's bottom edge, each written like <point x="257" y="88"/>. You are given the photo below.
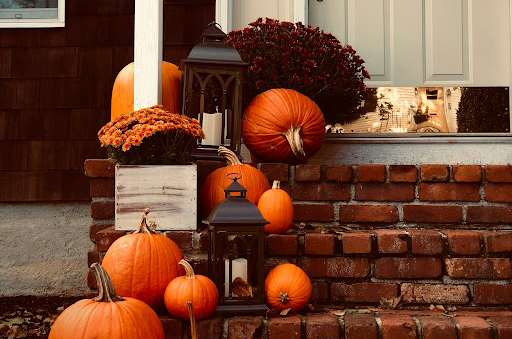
<point x="352" y="324"/>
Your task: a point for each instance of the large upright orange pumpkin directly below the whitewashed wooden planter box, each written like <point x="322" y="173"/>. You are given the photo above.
<point x="143" y="263"/>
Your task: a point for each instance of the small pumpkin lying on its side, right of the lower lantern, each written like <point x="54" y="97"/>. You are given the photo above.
<point x="287" y="286"/>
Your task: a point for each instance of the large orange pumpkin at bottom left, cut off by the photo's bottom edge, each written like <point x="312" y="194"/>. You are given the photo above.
<point x="107" y="316"/>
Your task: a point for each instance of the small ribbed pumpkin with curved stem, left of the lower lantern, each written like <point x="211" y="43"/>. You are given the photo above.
<point x="197" y="289"/>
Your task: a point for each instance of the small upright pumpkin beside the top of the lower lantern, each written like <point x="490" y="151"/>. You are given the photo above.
<point x="276" y="207"/>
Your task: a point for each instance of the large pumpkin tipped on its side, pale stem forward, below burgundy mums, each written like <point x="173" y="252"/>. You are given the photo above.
<point x="283" y="125"/>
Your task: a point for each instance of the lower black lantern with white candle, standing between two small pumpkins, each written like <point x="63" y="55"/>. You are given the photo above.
<point x="237" y="245"/>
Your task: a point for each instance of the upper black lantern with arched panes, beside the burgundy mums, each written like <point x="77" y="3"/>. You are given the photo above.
<point x="212" y="92"/>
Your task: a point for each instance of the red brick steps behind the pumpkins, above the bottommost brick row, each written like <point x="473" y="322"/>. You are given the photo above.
<point x="429" y="235"/>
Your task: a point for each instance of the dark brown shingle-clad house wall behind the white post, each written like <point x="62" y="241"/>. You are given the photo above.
<point x="55" y="88"/>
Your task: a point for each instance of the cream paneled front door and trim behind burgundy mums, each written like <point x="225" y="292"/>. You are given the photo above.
<point x="405" y="42"/>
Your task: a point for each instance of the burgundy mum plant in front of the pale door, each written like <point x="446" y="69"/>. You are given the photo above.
<point x="314" y="63"/>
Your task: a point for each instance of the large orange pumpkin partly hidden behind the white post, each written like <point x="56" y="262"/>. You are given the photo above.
<point x="122" y="93"/>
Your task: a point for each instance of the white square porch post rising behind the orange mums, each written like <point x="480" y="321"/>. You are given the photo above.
<point x="148" y="48"/>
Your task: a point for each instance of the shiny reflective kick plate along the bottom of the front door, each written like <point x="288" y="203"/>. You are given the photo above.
<point x="432" y="110"/>
